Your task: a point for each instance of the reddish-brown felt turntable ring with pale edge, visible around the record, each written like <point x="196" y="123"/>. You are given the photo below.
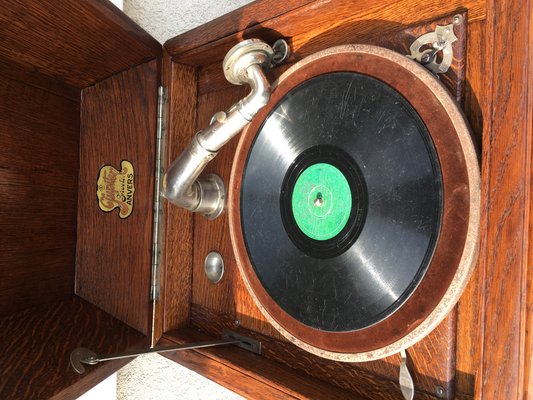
<point x="457" y="242"/>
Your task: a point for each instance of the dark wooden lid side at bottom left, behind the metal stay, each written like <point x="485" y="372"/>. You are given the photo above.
<point x="36" y="345"/>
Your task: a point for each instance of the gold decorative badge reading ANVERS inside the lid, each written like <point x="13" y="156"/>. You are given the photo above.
<point x="116" y="188"/>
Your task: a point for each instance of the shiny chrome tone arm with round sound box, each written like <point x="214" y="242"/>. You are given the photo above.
<point x="181" y="183"/>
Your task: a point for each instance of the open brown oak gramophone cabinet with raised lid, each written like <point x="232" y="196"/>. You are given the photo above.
<point x="79" y="84"/>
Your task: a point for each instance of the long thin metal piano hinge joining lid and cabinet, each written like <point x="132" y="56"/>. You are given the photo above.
<point x="158" y="211"/>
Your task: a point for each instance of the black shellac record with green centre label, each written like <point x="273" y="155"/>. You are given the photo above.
<point x="361" y="143"/>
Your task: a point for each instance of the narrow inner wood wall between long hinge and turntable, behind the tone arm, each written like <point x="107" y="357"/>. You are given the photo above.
<point x="178" y="244"/>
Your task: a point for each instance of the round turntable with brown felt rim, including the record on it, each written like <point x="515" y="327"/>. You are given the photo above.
<point x="341" y="209"/>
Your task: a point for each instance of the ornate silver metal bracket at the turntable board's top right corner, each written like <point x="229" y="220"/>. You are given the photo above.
<point x="426" y="48"/>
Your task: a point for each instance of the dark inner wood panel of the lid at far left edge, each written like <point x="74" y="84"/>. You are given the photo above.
<point x="39" y="142"/>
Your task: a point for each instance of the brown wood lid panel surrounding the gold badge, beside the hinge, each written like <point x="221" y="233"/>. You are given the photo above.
<point x="113" y="258"/>
